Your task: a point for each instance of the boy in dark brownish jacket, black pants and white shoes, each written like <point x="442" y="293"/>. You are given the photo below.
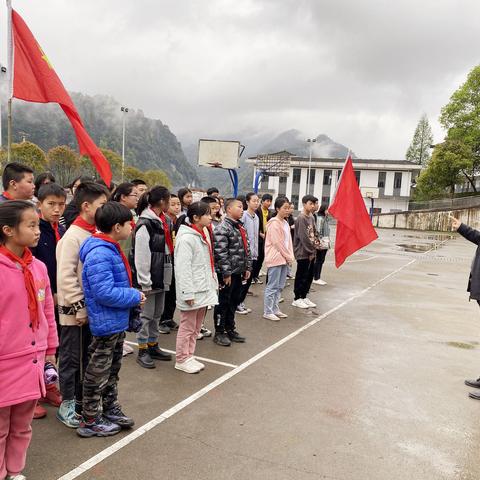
<point x="304" y="246"/>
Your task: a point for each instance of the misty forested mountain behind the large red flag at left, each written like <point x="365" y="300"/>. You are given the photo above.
<point x="149" y="143"/>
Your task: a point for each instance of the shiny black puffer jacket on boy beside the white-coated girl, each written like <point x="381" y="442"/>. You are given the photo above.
<point x="230" y="255"/>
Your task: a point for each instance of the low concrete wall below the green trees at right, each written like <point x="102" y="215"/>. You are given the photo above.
<point x="429" y="220"/>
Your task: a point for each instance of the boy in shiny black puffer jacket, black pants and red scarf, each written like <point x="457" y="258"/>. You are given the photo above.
<point x="234" y="264"/>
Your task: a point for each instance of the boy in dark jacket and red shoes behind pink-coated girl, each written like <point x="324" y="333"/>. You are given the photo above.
<point x="51" y="204"/>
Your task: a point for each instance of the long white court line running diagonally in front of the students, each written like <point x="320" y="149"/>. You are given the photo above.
<point x="109" y="451"/>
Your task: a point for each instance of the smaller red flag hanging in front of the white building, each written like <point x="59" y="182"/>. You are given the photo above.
<point x="354" y="227"/>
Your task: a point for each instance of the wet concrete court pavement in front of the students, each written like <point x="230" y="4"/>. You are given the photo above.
<point x="369" y="385"/>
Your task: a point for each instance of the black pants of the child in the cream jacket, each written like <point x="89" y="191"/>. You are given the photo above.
<point x="73" y="360"/>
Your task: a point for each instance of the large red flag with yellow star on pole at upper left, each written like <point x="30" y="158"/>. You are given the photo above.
<point x="35" y="80"/>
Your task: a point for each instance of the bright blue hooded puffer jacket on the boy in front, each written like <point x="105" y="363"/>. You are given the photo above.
<point x="106" y="285"/>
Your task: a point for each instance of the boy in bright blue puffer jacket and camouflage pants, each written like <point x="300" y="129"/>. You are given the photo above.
<point x="107" y="283"/>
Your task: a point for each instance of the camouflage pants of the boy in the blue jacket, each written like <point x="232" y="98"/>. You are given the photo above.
<point x="101" y="375"/>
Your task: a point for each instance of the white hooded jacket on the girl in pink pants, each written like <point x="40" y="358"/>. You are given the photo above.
<point x="193" y="271"/>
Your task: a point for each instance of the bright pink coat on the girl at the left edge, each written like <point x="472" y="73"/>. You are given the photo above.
<point x="22" y="350"/>
